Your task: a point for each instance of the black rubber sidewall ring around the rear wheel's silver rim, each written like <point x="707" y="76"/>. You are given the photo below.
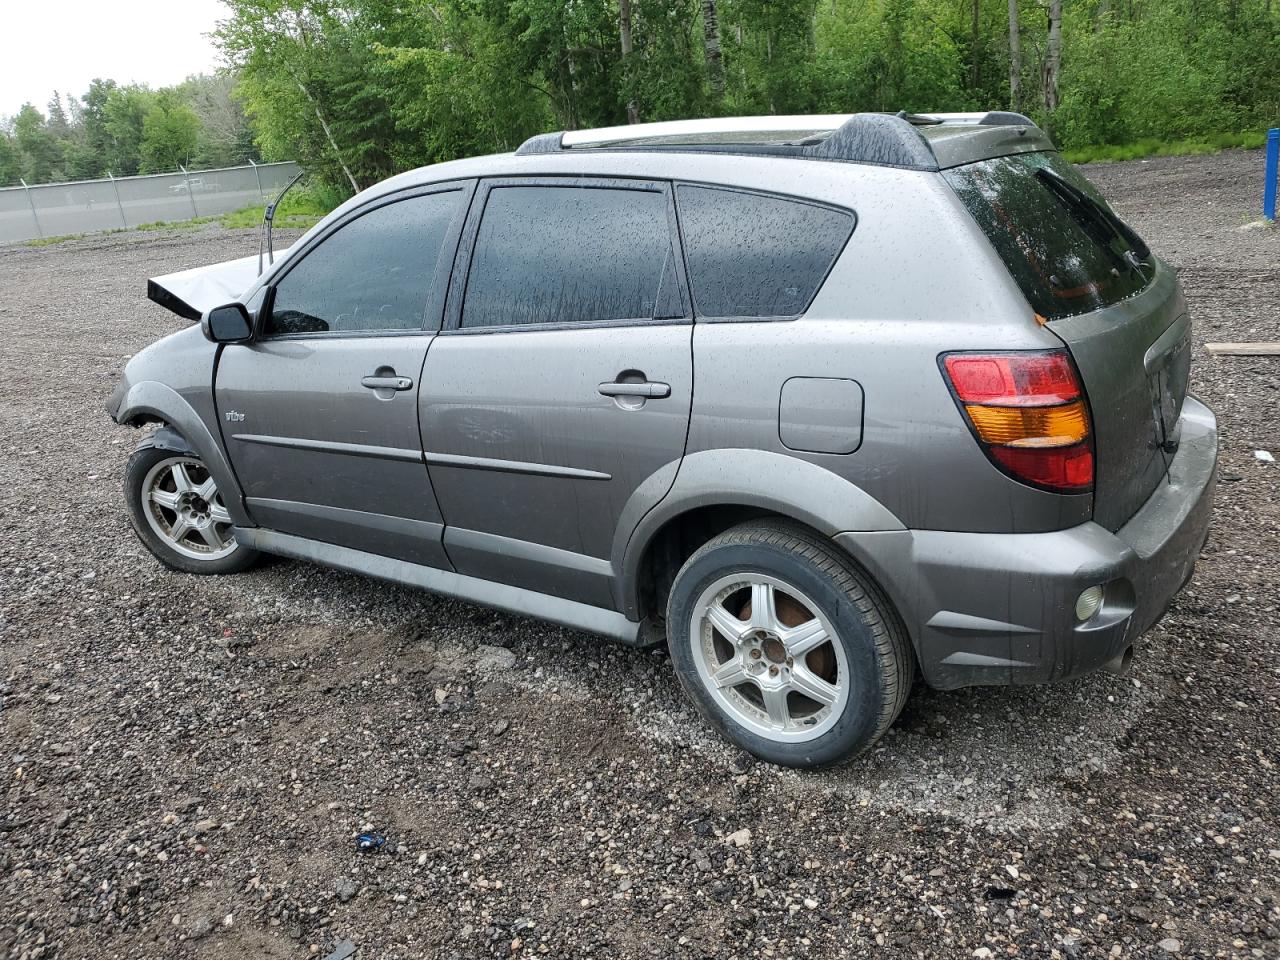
<point x="857" y="728"/>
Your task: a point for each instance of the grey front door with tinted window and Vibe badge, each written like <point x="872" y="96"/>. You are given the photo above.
<point x="319" y="414"/>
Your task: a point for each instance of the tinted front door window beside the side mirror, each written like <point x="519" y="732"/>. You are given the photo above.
<point x="373" y="275"/>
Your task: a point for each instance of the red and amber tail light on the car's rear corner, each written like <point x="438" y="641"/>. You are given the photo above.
<point x="1030" y="415"/>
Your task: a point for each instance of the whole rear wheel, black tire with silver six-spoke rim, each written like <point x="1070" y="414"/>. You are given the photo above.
<point x="755" y="675"/>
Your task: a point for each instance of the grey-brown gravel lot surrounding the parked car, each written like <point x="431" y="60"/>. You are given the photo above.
<point x="188" y="761"/>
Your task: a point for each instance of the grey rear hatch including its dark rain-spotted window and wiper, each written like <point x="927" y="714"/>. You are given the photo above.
<point x="1121" y="313"/>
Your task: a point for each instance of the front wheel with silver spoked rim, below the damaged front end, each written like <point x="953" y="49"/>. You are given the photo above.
<point x="157" y="505"/>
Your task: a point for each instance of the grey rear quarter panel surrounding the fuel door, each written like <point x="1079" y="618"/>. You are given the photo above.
<point x="916" y="280"/>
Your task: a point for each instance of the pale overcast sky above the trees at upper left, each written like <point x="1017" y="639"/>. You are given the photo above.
<point x="48" y="45"/>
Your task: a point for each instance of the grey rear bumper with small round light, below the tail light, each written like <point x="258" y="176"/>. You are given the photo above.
<point x="999" y="609"/>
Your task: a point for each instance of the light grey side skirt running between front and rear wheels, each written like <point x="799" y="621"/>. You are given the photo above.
<point x="514" y="600"/>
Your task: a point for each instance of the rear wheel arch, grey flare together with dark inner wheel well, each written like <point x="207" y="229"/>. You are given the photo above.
<point x="717" y="490"/>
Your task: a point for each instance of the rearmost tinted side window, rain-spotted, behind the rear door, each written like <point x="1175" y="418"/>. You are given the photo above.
<point x="752" y="255"/>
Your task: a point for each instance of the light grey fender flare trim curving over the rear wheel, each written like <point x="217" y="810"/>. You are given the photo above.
<point x="775" y="482"/>
